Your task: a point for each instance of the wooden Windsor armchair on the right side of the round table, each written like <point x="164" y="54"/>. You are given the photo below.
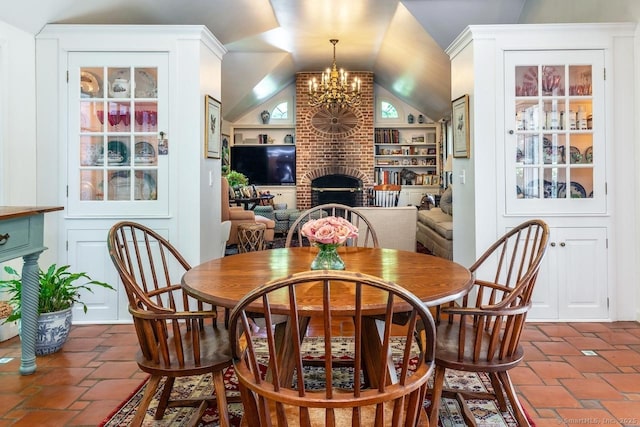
<point x="482" y="332"/>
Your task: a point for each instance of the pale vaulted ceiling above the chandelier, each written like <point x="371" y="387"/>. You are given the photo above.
<point x="401" y="42"/>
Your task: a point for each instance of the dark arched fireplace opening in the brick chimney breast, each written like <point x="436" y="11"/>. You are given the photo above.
<point x="336" y="188"/>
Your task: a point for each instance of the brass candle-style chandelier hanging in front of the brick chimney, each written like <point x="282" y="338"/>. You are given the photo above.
<point x="334" y="89"/>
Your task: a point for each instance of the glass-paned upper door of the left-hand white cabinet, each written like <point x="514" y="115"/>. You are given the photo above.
<point x="118" y="116"/>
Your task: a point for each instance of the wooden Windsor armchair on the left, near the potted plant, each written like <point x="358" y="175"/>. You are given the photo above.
<point x="170" y="324"/>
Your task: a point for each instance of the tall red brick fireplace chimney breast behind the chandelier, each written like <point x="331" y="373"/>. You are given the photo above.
<point x="333" y="142"/>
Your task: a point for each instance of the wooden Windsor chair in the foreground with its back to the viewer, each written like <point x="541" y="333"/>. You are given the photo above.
<point x="282" y="395"/>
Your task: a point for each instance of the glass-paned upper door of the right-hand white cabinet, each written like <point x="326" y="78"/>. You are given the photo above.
<point x="555" y="132"/>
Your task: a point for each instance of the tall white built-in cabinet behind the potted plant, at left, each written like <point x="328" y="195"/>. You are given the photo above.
<point x="124" y="108"/>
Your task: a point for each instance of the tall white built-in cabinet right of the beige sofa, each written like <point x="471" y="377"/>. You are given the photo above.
<point x="550" y="125"/>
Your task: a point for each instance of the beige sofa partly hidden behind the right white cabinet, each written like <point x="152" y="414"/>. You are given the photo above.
<point x="435" y="227"/>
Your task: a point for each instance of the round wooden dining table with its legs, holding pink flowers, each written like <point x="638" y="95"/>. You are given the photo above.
<point x="224" y="281"/>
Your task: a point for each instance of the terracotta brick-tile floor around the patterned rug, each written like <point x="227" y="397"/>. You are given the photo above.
<point x="557" y="383"/>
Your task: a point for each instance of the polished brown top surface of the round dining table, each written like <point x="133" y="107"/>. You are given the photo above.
<point x="224" y="281"/>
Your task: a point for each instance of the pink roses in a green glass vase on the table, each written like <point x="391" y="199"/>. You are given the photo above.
<point x="328" y="234"/>
